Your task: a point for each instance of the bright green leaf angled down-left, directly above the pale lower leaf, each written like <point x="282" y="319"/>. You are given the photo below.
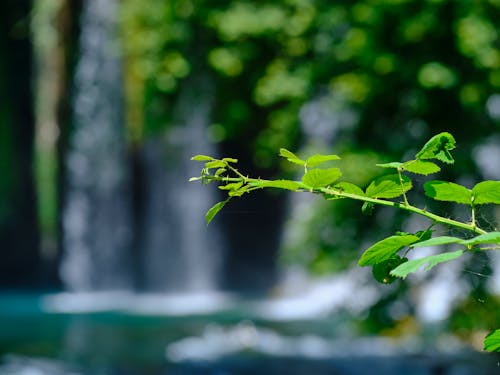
<point x="385" y="249"/>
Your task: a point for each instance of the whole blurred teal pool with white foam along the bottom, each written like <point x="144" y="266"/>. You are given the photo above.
<point x="44" y="335"/>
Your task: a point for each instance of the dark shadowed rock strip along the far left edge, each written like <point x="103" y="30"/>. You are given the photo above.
<point x="18" y="227"/>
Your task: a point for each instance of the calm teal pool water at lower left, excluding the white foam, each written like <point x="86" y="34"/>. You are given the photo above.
<point x="93" y="339"/>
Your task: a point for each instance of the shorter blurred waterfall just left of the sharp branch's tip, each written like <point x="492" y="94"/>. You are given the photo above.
<point x="180" y="253"/>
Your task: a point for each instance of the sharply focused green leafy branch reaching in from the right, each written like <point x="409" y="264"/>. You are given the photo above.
<point x="388" y="256"/>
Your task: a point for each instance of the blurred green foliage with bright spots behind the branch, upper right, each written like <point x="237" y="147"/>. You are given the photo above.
<point x="405" y="69"/>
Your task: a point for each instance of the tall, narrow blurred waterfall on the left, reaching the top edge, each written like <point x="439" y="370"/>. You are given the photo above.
<point x="96" y="213"/>
